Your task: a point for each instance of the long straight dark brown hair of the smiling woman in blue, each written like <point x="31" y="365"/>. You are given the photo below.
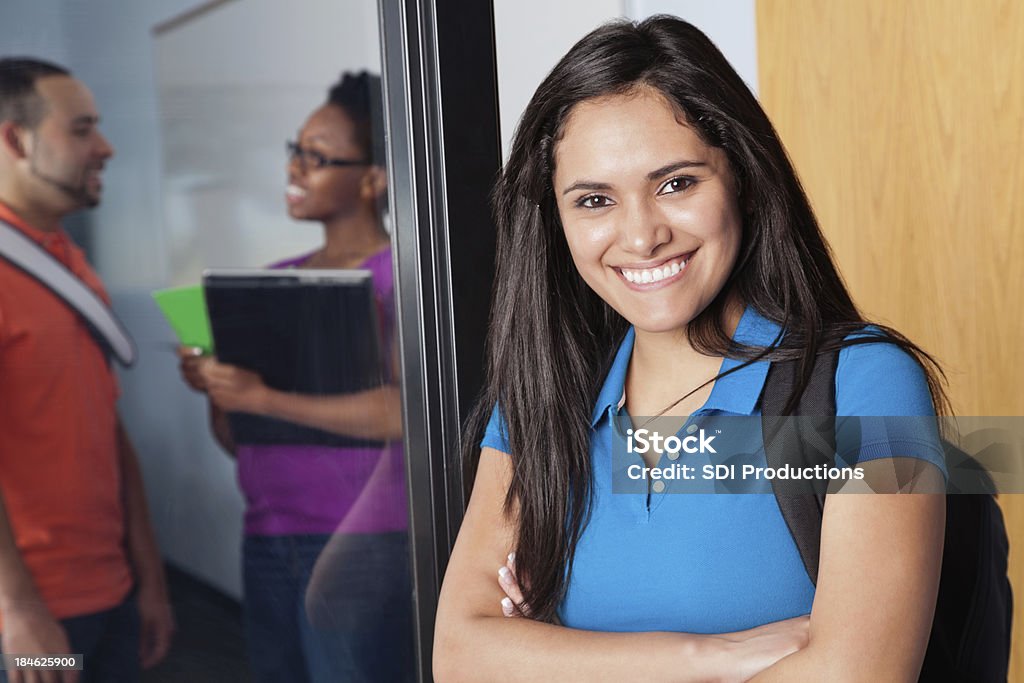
<point x="551" y="338"/>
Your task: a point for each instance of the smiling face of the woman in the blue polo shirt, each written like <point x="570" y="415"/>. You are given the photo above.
<point x="661" y="212"/>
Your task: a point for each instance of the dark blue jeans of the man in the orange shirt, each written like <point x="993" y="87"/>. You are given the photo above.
<point x="109" y="642"/>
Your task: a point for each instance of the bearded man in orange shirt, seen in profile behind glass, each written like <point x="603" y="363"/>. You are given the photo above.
<point x="80" y="572"/>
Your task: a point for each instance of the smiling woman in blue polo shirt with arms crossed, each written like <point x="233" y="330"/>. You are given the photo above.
<point x="656" y="255"/>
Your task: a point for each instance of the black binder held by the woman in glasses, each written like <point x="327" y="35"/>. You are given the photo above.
<point x="305" y="331"/>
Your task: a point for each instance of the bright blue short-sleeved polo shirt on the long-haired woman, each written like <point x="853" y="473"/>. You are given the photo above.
<point x="715" y="563"/>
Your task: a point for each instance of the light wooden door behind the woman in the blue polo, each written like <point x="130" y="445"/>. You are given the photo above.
<point x="906" y="121"/>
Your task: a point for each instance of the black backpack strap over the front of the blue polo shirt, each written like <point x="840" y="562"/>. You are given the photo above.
<point x="812" y="443"/>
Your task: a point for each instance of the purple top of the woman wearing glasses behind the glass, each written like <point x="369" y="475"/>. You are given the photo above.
<point x="323" y="490"/>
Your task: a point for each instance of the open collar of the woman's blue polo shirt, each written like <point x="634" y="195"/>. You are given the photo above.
<point x="738" y="393"/>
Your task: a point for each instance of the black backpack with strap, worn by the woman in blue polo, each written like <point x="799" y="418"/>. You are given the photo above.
<point x="971" y="631"/>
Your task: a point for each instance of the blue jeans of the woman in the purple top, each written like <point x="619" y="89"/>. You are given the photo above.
<point x="361" y="629"/>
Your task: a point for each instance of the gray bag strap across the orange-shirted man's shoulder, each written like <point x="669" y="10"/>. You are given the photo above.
<point x="103" y="324"/>
